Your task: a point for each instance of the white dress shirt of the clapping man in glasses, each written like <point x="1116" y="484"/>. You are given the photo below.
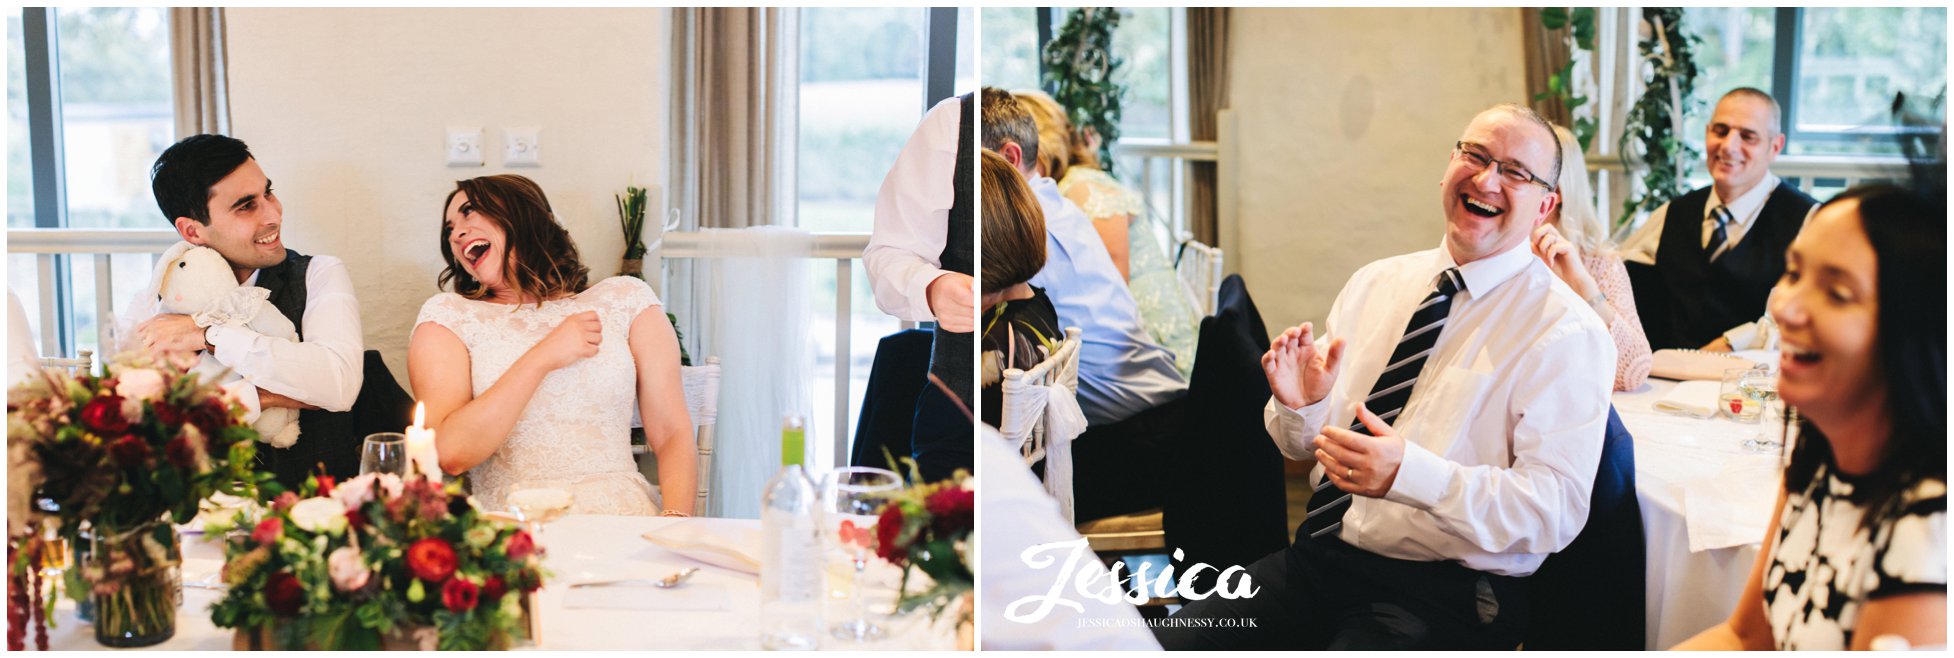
<point x="1504" y="429"/>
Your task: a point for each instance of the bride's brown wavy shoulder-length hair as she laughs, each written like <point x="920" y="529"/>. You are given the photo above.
<point x="538" y="255"/>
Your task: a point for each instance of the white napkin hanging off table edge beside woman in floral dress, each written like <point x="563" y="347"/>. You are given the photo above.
<point x="1734" y="507"/>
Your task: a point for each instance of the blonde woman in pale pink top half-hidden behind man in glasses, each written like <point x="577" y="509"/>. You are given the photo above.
<point x="1574" y="243"/>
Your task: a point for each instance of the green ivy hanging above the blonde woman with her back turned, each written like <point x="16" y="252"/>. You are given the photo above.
<point x="1080" y="75"/>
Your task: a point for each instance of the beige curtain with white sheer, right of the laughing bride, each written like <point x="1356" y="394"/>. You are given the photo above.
<point x="732" y="116"/>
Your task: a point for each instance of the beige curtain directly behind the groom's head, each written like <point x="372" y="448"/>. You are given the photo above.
<point x="198" y="71"/>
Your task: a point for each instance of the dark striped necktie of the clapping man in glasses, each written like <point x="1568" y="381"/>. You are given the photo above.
<point x="1390" y="393"/>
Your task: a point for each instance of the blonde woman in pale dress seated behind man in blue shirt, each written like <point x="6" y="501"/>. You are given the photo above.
<point x="1121" y="218"/>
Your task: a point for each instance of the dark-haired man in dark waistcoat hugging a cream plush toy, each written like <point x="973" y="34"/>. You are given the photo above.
<point x="214" y="194"/>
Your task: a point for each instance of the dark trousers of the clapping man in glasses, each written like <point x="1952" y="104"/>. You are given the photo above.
<point x="1324" y="595"/>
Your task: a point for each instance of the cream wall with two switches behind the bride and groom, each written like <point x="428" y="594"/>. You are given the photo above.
<point x="347" y="112"/>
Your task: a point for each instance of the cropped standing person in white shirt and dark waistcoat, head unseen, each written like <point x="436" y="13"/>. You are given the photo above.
<point x="921" y="265"/>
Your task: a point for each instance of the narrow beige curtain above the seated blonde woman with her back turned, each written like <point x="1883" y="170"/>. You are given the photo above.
<point x="1207" y="97"/>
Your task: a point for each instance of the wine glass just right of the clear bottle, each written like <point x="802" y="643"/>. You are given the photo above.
<point x="853" y="499"/>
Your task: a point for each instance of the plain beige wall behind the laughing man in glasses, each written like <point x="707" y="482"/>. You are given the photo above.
<point x="1345" y="124"/>
